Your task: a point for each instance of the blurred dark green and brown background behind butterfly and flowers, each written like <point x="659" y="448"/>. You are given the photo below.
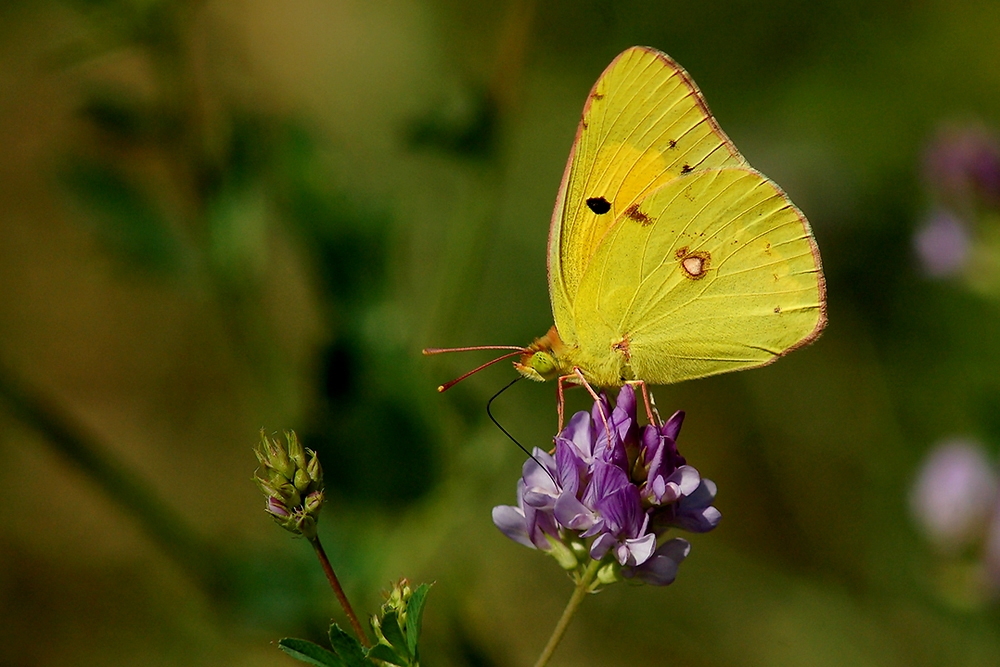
<point x="222" y="216"/>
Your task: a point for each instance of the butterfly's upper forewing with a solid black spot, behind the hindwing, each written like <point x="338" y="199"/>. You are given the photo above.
<point x="644" y="124"/>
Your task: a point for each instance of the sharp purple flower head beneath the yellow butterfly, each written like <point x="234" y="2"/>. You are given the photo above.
<point x="611" y="492"/>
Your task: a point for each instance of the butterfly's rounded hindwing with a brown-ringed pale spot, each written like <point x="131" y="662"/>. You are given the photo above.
<point x="715" y="271"/>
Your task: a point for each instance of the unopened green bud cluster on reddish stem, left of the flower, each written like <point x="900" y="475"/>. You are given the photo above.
<point x="292" y="481"/>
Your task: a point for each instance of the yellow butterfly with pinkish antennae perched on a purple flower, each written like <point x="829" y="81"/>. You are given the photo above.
<point x="670" y="258"/>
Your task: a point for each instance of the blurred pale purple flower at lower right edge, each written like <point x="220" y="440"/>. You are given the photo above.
<point x="955" y="494"/>
